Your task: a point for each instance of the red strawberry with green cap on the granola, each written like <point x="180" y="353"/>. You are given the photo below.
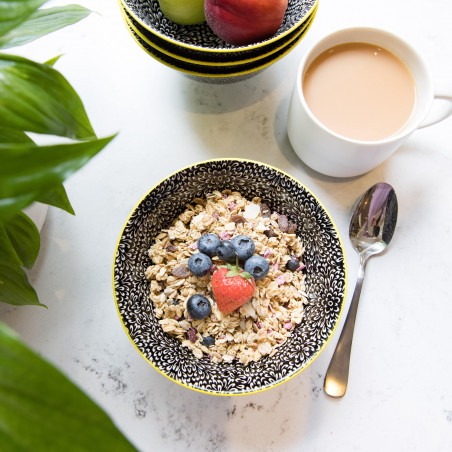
<point x="232" y="287"/>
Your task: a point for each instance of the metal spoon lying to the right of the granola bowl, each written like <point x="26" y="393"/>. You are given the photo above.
<point x="371" y="229"/>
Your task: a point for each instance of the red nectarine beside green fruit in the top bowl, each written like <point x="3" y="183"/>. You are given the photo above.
<point x="242" y="22"/>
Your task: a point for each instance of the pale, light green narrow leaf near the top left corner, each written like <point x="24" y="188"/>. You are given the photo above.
<point x="43" y="22"/>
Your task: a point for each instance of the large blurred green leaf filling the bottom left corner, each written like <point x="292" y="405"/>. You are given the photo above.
<point x="41" y="410"/>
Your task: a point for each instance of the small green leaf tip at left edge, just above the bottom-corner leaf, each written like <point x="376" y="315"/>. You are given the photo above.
<point x="15" y="288"/>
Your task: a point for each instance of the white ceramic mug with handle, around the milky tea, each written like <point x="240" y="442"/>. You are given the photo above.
<point x="335" y="155"/>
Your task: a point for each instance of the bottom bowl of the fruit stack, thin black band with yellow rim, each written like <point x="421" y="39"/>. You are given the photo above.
<point x="224" y="73"/>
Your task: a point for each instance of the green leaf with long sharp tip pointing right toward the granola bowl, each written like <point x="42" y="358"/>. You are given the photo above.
<point x="29" y="172"/>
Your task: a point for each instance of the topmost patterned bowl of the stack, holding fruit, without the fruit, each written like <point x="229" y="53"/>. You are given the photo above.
<point x="199" y="43"/>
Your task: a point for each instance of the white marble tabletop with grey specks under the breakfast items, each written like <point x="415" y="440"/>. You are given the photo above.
<point x="400" y="391"/>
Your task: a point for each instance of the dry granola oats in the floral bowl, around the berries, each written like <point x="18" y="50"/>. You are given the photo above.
<point x="262" y="324"/>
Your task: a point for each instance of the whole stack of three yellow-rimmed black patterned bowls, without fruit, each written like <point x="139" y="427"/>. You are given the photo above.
<point x="196" y="50"/>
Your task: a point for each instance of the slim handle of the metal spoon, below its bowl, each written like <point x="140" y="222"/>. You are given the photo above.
<point x="336" y="377"/>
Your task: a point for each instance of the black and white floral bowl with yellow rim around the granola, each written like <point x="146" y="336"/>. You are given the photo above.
<point x="325" y="278"/>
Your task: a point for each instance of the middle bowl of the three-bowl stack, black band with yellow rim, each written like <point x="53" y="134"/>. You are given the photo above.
<point x="220" y="58"/>
